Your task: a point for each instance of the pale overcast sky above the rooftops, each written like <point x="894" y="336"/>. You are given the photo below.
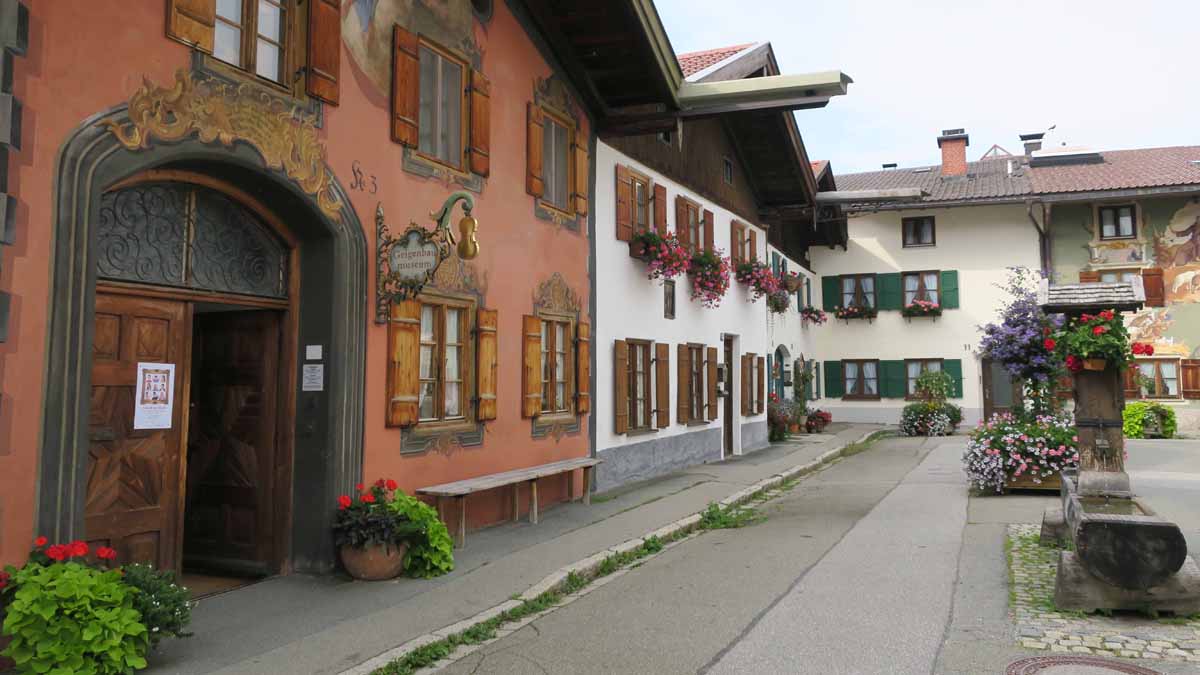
<point x="1109" y="74"/>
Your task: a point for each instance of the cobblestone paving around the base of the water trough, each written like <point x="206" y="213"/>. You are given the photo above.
<point x="1041" y="628"/>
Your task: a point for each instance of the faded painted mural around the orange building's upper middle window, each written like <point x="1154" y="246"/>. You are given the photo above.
<point x="368" y="26"/>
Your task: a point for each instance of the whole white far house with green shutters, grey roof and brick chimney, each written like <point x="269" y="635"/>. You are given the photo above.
<point x="952" y="248"/>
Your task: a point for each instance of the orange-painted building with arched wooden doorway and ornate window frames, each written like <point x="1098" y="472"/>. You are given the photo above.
<point x="196" y="183"/>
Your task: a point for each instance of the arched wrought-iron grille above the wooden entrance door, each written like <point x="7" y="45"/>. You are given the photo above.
<point x="193" y="237"/>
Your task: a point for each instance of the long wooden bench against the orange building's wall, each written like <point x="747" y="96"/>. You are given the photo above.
<point x="460" y="491"/>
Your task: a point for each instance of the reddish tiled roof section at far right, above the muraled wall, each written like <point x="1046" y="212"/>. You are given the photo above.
<point x="1121" y="170"/>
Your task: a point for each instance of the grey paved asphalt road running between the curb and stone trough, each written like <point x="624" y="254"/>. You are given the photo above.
<point x="877" y="565"/>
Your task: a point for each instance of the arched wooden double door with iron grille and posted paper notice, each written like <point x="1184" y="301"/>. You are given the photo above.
<point x="194" y="280"/>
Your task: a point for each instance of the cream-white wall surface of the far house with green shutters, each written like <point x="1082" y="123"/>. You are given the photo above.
<point x="979" y="242"/>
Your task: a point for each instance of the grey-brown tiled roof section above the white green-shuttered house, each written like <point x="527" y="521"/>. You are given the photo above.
<point x="989" y="180"/>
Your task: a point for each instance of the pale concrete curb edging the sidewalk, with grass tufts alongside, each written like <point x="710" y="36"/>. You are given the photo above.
<point x="587" y="568"/>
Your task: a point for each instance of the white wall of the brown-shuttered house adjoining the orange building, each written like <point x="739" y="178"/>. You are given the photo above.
<point x="632" y="307"/>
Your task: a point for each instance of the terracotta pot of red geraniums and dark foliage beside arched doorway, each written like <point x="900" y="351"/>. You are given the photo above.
<point x="371" y="537"/>
